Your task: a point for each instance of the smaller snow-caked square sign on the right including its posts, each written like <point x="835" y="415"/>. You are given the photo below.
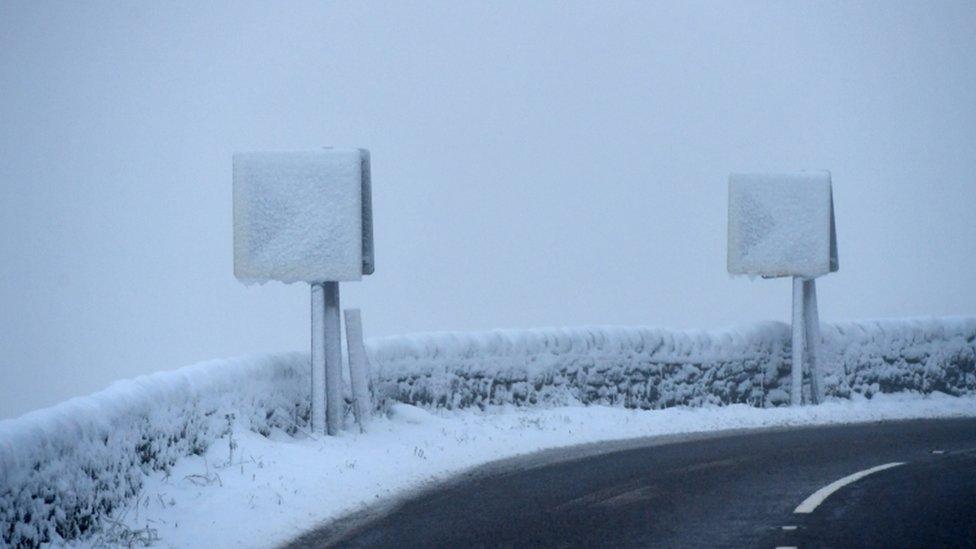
<point x="782" y="225"/>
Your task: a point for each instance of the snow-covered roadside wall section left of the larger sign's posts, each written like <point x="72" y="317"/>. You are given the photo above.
<point x="65" y="467"/>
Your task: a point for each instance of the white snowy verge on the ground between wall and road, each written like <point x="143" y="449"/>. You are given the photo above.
<point x="251" y="491"/>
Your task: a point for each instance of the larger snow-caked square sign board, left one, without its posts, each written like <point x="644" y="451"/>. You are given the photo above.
<point x="302" y="216"/>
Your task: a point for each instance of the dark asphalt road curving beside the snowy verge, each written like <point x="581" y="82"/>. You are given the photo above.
<point x="721" y="491"/>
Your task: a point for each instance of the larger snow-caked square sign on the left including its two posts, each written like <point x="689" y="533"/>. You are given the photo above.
<point x="307" y="217"/>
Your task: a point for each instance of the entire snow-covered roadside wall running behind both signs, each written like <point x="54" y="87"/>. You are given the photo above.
<point x="63" y="468"/>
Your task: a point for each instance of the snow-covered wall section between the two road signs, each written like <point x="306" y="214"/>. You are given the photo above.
<point x="633" y="367"/>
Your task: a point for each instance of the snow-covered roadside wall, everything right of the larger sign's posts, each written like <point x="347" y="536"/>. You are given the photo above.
<point x="653" y="368"/>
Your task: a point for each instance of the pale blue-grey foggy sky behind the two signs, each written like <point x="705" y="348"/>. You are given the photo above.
<point x="534" y="164"/>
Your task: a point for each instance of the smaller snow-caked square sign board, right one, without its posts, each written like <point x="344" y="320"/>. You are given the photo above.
<point x="782" y="225"/>
